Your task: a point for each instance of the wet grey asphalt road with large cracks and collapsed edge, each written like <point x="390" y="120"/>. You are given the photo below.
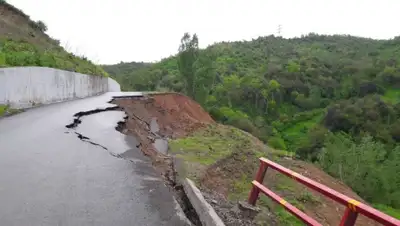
<point x="48" y="176"/>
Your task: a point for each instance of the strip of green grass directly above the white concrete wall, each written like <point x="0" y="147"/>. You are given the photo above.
<point x="20" y="53"/>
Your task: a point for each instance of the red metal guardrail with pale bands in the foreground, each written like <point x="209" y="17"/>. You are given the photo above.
<point x="349" y="218"/>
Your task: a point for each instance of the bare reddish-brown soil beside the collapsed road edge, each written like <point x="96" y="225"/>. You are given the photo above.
<point x="161" y="116"/>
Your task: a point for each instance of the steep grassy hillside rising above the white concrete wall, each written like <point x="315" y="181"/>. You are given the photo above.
<point x="24" y="42"/>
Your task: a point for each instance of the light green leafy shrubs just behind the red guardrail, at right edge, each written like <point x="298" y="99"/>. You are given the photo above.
<point x="366" y="167"/>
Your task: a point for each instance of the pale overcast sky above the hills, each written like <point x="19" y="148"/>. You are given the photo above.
<point x="110" y="31"/>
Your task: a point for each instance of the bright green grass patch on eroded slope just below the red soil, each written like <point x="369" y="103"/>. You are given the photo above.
<point x="204" y="148"/>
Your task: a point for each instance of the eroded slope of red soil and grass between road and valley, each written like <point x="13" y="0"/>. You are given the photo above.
<point x="222" y="160"/>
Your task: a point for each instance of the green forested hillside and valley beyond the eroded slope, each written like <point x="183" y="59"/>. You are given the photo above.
<point x="332" y="100"/>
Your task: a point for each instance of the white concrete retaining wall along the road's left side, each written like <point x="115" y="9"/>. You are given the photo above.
<point x="23" y="87"/>
